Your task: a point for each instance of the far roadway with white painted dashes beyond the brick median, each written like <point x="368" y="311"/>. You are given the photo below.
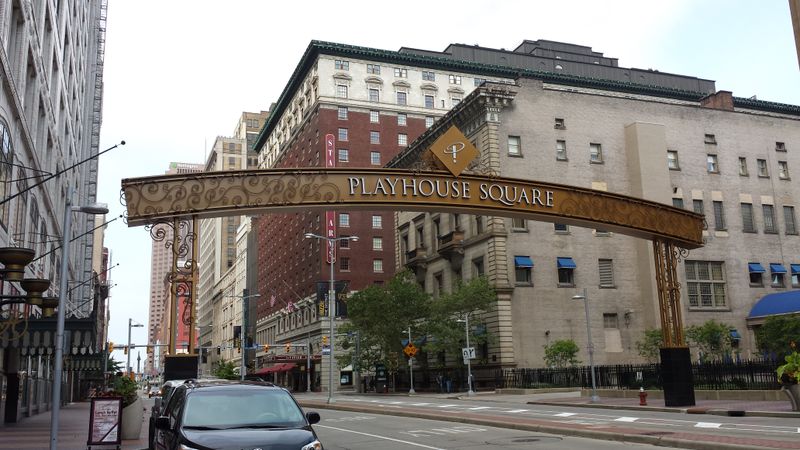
<point x="662" y="428"/>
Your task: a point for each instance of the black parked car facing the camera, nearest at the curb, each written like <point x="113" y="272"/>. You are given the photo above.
<point x="234" y="415"/>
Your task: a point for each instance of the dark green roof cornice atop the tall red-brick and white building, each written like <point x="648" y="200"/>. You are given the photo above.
<point x="315" y="48"/>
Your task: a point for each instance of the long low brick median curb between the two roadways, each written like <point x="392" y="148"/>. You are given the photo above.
<point x="661" y="441"/>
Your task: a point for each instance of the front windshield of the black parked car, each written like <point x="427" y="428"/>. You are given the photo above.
<point x="231" y="409"/>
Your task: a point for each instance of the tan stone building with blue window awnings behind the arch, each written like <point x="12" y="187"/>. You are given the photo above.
<point x="723" y="156"/>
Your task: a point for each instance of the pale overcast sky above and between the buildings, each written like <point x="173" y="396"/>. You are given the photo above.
<point x="179" y="73"/>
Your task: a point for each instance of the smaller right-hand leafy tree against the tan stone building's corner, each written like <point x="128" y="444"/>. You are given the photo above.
<point x="446" y="334"/>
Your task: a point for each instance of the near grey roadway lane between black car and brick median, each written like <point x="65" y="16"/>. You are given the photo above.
<point x="341" y="430"/>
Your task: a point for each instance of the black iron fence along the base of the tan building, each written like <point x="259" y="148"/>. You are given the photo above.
<point x="715" y="376"/>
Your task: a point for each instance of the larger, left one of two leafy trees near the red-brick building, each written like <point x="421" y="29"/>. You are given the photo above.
<point x="380" y="314"/>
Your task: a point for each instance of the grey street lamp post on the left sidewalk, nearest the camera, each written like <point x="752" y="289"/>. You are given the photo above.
<point x="58" y="365"/>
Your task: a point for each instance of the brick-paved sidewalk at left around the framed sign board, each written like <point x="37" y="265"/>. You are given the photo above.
<point x="73" y="431"/>
